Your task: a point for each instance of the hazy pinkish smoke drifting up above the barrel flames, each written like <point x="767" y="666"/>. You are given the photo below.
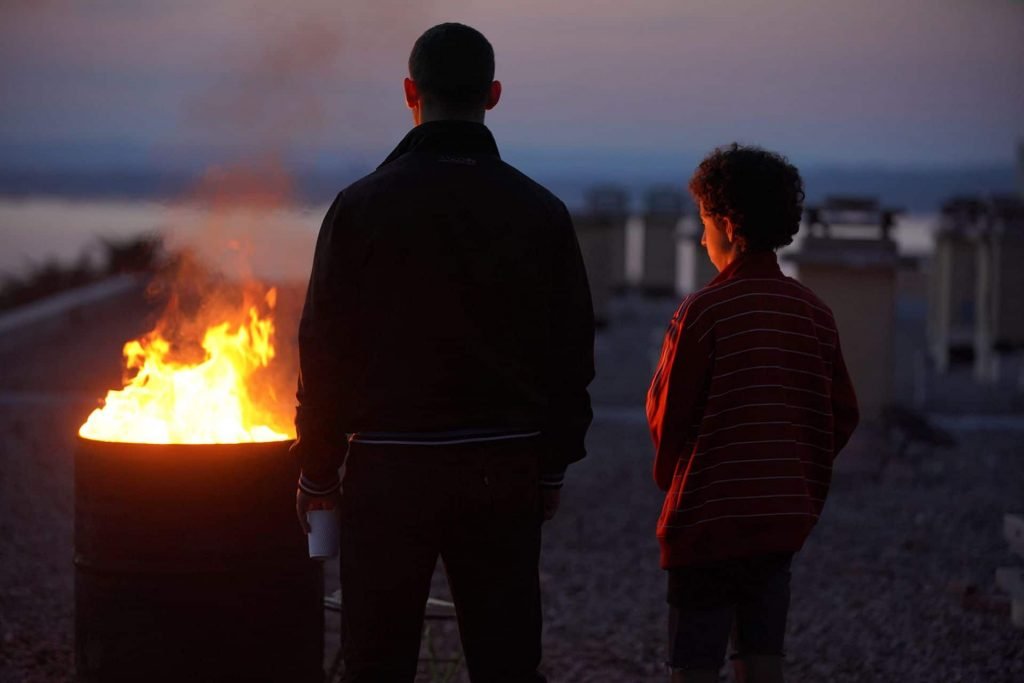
<point x="295" y="82"/>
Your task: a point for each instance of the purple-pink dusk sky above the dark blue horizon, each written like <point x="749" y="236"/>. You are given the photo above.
<point x="837" y="82"/>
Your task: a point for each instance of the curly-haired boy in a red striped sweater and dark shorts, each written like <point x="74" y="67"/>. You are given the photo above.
<point x="751" y="404"/>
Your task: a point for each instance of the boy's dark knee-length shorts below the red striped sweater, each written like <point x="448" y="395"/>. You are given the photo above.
<point x="706" y="602"/>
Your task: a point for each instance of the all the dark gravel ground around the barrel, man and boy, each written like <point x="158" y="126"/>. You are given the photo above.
<point x="897" y="584"/>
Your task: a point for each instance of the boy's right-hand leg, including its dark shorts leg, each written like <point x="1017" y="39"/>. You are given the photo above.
<point x="761" y="619"/>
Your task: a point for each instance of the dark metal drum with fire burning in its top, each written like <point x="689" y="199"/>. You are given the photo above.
<point x="190" y="566"/>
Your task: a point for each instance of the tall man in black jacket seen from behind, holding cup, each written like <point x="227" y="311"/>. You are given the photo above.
<point x="446" y="345"/>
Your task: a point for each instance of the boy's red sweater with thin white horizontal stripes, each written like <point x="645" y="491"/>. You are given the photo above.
<point x="750" y="406"/>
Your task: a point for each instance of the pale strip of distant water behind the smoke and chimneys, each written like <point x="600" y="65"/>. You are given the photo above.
<point x="277" y="243"/>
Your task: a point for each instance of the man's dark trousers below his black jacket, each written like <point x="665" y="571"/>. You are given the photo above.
<point x="477" y="506"/>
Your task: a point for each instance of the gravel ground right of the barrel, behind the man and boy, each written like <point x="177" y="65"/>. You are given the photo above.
<point x="895" y="585"/>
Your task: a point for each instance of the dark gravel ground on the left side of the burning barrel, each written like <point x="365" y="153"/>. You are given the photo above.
<point x="51" y="378"/>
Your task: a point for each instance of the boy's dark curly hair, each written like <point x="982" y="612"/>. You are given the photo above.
<point x="760" y="192"/>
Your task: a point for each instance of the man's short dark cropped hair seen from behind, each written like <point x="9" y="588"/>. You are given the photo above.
<point x="453" y="65"/>
